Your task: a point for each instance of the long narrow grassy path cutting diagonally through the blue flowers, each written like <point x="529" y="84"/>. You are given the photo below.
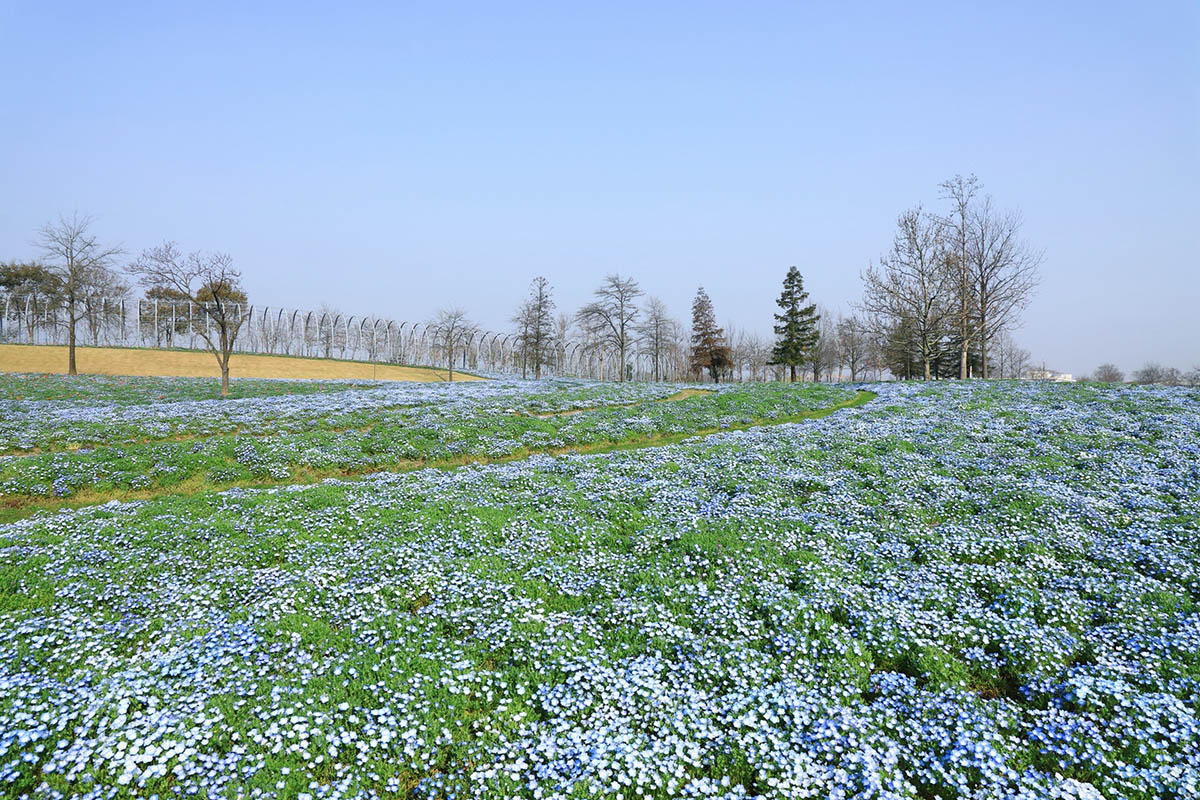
<point x="17" y="508"/>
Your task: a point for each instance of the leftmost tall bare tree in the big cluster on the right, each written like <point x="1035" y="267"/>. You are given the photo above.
<point x="913" y="287"/>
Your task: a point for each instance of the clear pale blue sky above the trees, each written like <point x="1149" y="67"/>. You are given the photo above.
<point x="398" y="158"/>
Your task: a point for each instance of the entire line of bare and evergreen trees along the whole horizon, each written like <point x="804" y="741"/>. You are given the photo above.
<point x="941" y="303"/>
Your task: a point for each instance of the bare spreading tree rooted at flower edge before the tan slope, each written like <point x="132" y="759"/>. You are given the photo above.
<point x="211" y="282"/>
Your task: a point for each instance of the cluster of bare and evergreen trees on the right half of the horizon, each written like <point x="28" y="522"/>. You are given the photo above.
<point x="943" y="303"/>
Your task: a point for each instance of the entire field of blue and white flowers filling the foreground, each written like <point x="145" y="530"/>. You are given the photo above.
<point x="958" y="591"/>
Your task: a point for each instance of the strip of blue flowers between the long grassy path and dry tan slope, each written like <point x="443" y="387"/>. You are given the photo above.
<point x="61" y="449"/>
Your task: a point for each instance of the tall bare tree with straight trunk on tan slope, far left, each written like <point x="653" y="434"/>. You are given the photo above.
<point x="80" y="266"/>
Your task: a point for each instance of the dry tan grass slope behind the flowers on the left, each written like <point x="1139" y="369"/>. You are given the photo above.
<point x="133" y="362"/>
